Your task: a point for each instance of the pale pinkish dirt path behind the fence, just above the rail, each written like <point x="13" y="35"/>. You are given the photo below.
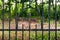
<point x="26" y="25"/>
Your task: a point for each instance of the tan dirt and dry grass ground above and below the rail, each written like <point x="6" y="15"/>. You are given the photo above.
<point x="26" y="26"/>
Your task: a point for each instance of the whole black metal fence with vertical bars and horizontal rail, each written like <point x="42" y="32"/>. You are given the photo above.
<point x="42" y="20"/>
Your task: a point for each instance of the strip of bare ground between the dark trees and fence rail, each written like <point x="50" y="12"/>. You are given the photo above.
<point x="26" y="24"/>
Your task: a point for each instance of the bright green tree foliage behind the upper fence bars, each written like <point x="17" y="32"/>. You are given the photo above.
<point x="24" y="11"/>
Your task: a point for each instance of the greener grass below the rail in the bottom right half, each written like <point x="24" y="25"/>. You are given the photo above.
<point x="45" y="36"/>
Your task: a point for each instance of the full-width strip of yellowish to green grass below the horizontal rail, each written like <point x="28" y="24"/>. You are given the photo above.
<point x="32" y="35"/>
